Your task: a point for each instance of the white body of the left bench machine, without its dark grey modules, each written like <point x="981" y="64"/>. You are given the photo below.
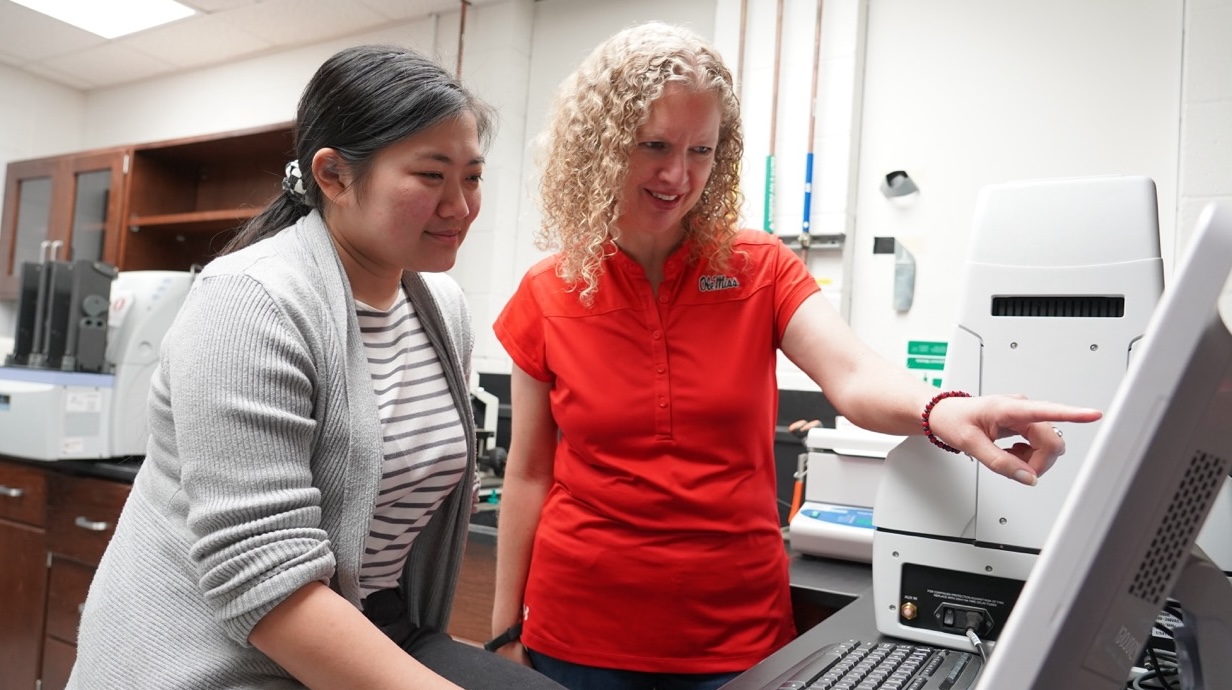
<point x="51" y="415"/>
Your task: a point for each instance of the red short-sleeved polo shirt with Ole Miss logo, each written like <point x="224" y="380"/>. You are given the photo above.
<point x="659" y="548"/>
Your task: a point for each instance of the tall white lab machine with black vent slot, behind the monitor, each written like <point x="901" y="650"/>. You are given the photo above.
<point x="1060" y="283"/>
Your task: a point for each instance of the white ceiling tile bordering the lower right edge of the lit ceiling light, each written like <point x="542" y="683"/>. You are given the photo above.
<point x="205" y="40"/>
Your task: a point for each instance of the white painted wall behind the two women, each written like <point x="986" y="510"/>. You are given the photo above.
<point x="517" y="51"/>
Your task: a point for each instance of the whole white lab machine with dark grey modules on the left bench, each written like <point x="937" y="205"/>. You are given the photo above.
<point x="87" y="346"/>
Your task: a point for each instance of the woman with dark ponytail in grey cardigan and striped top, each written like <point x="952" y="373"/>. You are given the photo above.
<point x="302" y="509"/>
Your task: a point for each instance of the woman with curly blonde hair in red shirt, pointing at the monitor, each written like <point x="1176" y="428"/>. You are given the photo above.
<point x="639" y="544"/>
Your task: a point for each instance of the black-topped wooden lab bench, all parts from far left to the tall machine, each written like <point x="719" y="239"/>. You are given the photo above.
<point x="56" y="519"/>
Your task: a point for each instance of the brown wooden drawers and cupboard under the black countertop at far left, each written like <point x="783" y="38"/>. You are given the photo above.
<point x="54" y="530"/>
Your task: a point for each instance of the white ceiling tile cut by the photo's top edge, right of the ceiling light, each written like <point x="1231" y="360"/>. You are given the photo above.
<point x="296" y="23"/>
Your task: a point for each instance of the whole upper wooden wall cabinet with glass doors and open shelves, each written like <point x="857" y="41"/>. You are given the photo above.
<point x="156" y="206"/>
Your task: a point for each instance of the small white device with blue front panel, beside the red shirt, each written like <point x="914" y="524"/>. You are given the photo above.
<point x="842" y="473"/>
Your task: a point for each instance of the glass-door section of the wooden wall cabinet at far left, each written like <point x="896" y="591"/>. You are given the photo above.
<point x="66" y="208"/>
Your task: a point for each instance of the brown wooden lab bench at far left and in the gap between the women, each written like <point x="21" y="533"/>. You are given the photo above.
<point x="56" y="521"/>
